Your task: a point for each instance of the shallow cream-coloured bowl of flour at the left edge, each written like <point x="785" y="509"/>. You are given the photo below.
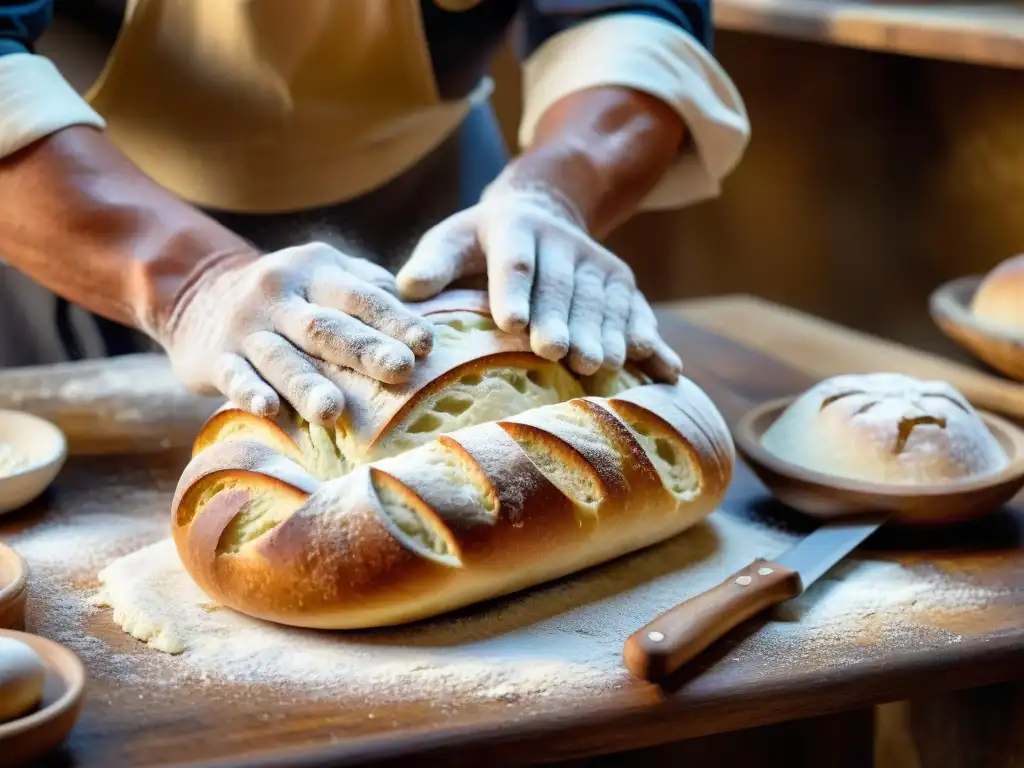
<point x="45" y="447"/>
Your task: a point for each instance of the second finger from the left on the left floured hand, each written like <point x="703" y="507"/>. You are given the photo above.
<point x="295" y="377"/>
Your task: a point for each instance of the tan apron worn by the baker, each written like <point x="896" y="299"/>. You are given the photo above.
<point x="274" y="106"/>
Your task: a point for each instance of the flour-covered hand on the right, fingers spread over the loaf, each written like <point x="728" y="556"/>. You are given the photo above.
<point x="544" y="270"/>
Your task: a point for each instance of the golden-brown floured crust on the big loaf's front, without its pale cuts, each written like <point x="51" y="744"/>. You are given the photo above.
<point x="339" y="559"/>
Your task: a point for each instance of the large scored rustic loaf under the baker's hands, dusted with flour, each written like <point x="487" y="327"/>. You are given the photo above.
<point x="492" y="472"/>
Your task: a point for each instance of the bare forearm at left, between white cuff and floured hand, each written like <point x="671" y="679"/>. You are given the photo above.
<point x="81" y="220"/>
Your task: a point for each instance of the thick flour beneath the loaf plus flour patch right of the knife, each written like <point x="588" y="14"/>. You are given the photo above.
<point x="562" y="639"/>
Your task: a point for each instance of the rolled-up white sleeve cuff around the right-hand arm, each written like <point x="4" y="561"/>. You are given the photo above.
<point x="654" y="57"/>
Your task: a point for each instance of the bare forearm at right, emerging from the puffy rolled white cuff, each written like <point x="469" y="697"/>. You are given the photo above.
<point x="605" y="149"/>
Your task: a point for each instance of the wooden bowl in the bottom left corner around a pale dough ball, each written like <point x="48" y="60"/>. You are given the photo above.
<point x="35" y="736"/>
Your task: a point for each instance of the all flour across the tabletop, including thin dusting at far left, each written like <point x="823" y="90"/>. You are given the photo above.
<point x="556" y="643"/>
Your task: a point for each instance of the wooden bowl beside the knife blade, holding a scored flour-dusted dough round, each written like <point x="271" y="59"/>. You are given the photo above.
<point x="825" y="496"/>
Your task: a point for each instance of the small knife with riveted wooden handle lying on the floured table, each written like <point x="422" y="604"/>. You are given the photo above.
<point x="681" y="633"/>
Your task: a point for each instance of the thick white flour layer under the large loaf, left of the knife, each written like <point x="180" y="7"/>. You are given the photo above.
<point x="562" y="638"/>
